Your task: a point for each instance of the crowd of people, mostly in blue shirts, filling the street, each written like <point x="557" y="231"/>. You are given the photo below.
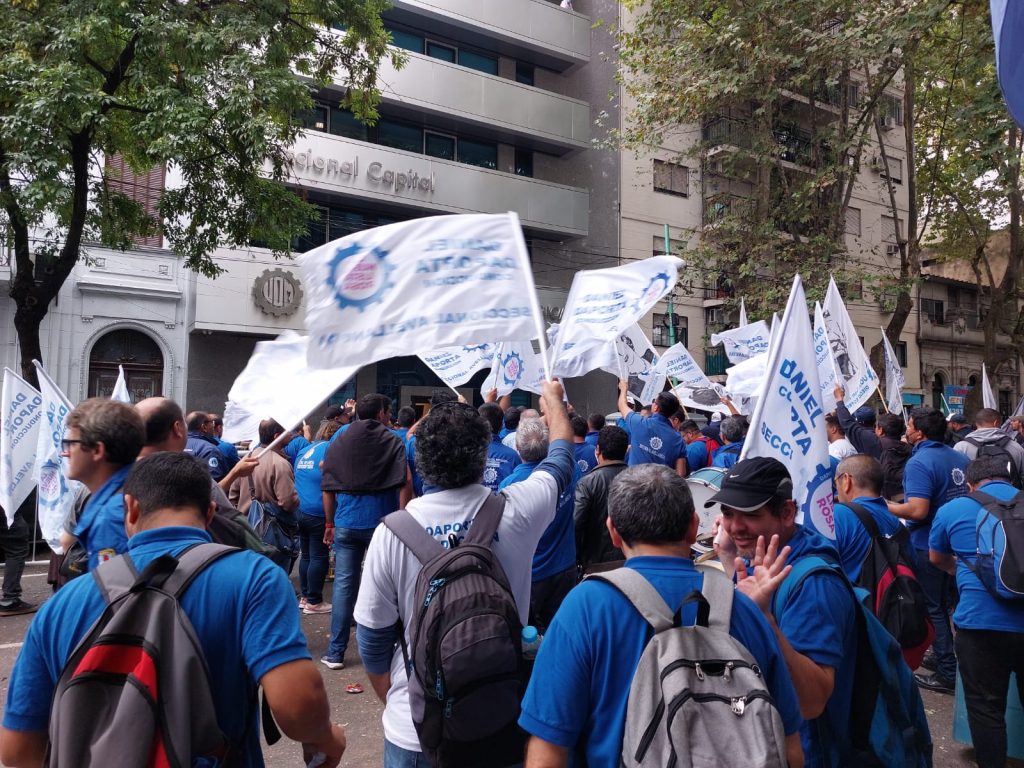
<point x="581" y="501"/>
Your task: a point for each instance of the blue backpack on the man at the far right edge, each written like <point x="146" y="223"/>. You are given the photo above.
<point x="1000" y="567"/>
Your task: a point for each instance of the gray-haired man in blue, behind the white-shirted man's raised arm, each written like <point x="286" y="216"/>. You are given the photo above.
<point x="554" y="562"/>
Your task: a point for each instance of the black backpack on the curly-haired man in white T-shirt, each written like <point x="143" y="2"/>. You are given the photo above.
<point x="465" y="665"/>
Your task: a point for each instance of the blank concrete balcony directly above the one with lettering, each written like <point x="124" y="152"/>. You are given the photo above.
<point x="519" y="114"/>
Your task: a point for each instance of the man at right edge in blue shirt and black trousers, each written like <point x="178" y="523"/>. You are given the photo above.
<point x="990" y="630"/>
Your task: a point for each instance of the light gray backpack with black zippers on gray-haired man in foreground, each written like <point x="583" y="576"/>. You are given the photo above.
<point x="698" y="699"/>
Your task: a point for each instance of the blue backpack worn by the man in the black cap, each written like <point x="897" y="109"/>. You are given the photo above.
<point x="888" y="728"/>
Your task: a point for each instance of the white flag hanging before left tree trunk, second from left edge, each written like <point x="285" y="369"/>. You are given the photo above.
<point x="57" y="493"/>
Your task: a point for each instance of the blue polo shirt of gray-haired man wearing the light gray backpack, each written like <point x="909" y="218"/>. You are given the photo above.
<point x="580" y="687"/>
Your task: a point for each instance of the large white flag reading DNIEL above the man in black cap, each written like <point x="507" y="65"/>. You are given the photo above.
<point x="789" y="423"/>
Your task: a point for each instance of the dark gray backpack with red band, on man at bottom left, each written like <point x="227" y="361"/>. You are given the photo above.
<point x="137" y="691"/>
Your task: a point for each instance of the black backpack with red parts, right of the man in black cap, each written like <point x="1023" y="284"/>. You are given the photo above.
<point x="895" y="595"/>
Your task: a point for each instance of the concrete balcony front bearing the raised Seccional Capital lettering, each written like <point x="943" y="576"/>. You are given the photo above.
<point x="342" y="166"/>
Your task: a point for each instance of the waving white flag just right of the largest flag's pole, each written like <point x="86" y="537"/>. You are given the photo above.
<point x="605" y="304"/>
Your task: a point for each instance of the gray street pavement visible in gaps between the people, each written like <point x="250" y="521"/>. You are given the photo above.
<point x="361" y="713"/>
